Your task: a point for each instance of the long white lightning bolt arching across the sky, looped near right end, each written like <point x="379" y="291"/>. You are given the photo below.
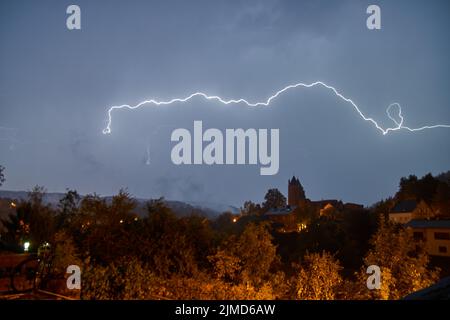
<point x="398" y="123"/>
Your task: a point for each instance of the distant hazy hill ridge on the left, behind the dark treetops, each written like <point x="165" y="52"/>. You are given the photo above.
<point x="179" y="207"/>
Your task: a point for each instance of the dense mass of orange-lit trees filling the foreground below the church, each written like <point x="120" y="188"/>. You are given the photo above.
<point x="131" y="252"/>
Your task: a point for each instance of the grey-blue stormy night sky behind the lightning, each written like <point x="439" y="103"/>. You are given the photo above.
<point x="56" y="86"/>
